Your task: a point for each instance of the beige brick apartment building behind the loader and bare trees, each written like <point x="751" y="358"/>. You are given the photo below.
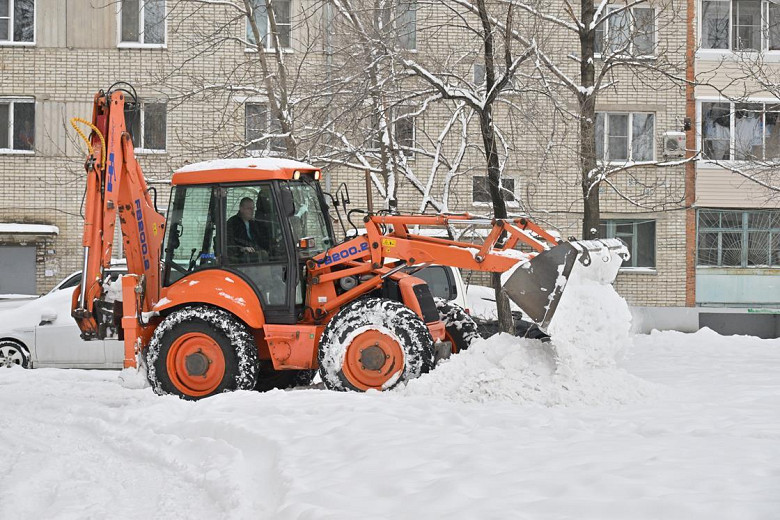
<point x="54" y="55"/>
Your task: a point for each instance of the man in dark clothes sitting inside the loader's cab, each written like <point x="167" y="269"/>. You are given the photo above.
<point x="247" y="239"/>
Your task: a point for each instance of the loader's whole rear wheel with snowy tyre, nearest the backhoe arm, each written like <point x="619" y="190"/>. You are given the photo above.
<point x="200" y="351"/>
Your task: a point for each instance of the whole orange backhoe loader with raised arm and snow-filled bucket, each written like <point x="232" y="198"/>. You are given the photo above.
<point x="245" y="286"/>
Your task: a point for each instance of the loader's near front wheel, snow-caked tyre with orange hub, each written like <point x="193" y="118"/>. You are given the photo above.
<point x="374" y="343"/>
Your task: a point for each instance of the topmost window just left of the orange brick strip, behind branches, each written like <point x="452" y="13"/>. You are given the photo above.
<point x="628" y="32"/>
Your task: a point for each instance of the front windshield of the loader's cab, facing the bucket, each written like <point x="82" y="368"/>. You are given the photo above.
<point x="309" y="221"/>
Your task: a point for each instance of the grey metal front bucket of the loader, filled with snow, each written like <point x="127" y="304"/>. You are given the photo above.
<point x="536" y="286"/>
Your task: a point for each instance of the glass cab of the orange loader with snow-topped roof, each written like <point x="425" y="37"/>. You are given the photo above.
<point x="260" y="223"/>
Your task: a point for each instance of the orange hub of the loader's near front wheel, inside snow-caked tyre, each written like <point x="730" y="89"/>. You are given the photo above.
<point x="372" y="359"/>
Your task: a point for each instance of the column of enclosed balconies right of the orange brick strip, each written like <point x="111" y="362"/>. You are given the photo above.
<point x="737" y="211"/>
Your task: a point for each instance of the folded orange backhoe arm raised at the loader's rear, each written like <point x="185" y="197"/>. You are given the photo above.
<point x="115" y="186"/>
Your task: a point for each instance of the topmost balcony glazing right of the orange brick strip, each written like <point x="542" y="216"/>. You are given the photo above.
<point x="740" y="25"/>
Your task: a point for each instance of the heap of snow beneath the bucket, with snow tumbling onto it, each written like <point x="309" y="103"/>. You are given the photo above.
<point x="589" y="330"/>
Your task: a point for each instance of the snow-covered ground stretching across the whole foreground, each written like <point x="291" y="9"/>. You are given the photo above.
<point x="687" y="426"/>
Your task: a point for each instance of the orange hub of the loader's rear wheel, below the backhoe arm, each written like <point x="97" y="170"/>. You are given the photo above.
<point x="196" y="364"/>
